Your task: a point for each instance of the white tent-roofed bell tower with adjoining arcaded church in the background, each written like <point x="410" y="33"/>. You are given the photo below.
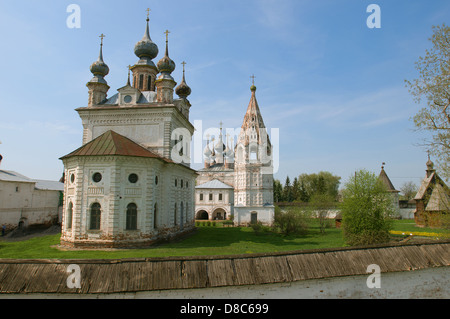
<point x="246" y="169"/>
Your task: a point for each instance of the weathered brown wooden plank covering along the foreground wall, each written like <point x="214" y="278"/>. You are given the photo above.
<point x="147" y="274"/>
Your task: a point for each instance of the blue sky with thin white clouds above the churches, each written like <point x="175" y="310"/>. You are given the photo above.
<point x="333" y="87"/>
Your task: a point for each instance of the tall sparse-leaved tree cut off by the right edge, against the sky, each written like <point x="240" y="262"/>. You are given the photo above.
<point x="433" y="84"/>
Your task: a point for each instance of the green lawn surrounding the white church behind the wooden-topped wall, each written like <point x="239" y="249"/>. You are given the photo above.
<point x="205" y="241"/>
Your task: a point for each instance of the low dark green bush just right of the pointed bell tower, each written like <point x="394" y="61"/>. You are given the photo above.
<point x="290" y="222"/>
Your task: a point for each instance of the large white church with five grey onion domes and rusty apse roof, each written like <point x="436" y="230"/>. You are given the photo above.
<point x="130" y="183"/>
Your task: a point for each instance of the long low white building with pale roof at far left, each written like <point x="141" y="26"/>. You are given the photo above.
<point x="25" y="202"/>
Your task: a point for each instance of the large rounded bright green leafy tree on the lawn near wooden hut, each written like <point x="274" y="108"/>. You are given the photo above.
<point x="366" y="210"/>
